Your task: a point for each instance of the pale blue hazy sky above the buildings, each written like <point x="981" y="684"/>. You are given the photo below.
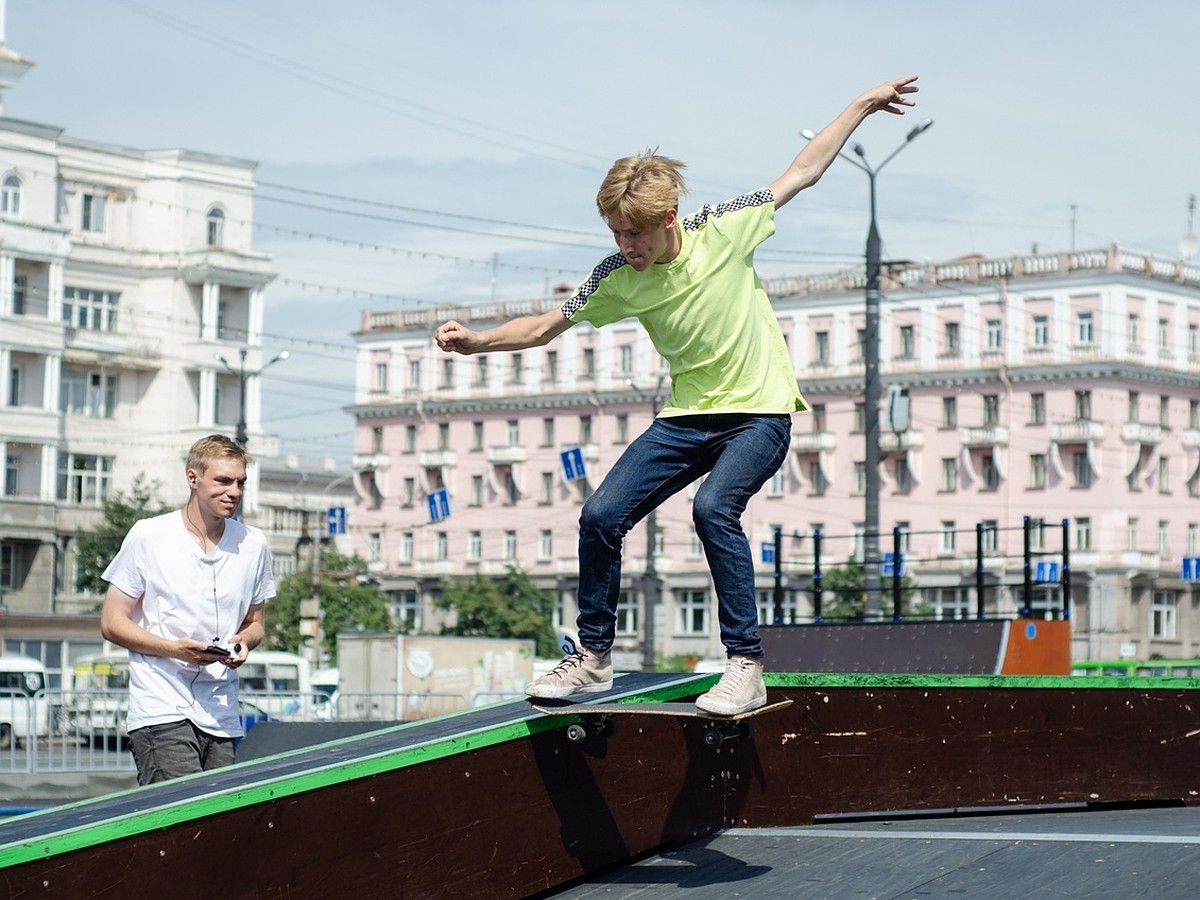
<point x="416" y="154"/>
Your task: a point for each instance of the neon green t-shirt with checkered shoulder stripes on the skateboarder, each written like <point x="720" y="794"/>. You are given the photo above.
<point x="706" y="313"/>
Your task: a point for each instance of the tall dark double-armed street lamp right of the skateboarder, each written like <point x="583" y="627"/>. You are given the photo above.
<point x="872" y="362"/>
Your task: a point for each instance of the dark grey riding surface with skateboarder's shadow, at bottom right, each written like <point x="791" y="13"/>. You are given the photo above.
<point x="1153" y="854"/>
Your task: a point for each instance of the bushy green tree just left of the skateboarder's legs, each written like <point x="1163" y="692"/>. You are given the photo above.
<point x="512" y="608"/>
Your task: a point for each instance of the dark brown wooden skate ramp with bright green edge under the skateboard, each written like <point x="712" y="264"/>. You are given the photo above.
<point x="497" y="803"/>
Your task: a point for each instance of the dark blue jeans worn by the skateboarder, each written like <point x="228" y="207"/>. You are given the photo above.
<point x="739" y="454"/>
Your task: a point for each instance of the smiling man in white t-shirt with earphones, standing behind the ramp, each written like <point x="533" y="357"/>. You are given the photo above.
<point x="185" y="597"/>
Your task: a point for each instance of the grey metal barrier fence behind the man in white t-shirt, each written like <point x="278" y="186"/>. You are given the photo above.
<point x="85" y="731"/>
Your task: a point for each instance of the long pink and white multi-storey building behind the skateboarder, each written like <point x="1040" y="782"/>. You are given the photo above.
<point x="1055" y="388"/>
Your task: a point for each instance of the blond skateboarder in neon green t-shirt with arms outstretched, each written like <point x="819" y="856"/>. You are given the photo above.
<point x="691" y="281"/>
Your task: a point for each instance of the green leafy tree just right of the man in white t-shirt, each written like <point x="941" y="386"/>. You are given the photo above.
<point x="350" y="602"/>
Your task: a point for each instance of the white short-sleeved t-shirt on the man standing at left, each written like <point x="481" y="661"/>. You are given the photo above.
<point x="184" y="593"/>
